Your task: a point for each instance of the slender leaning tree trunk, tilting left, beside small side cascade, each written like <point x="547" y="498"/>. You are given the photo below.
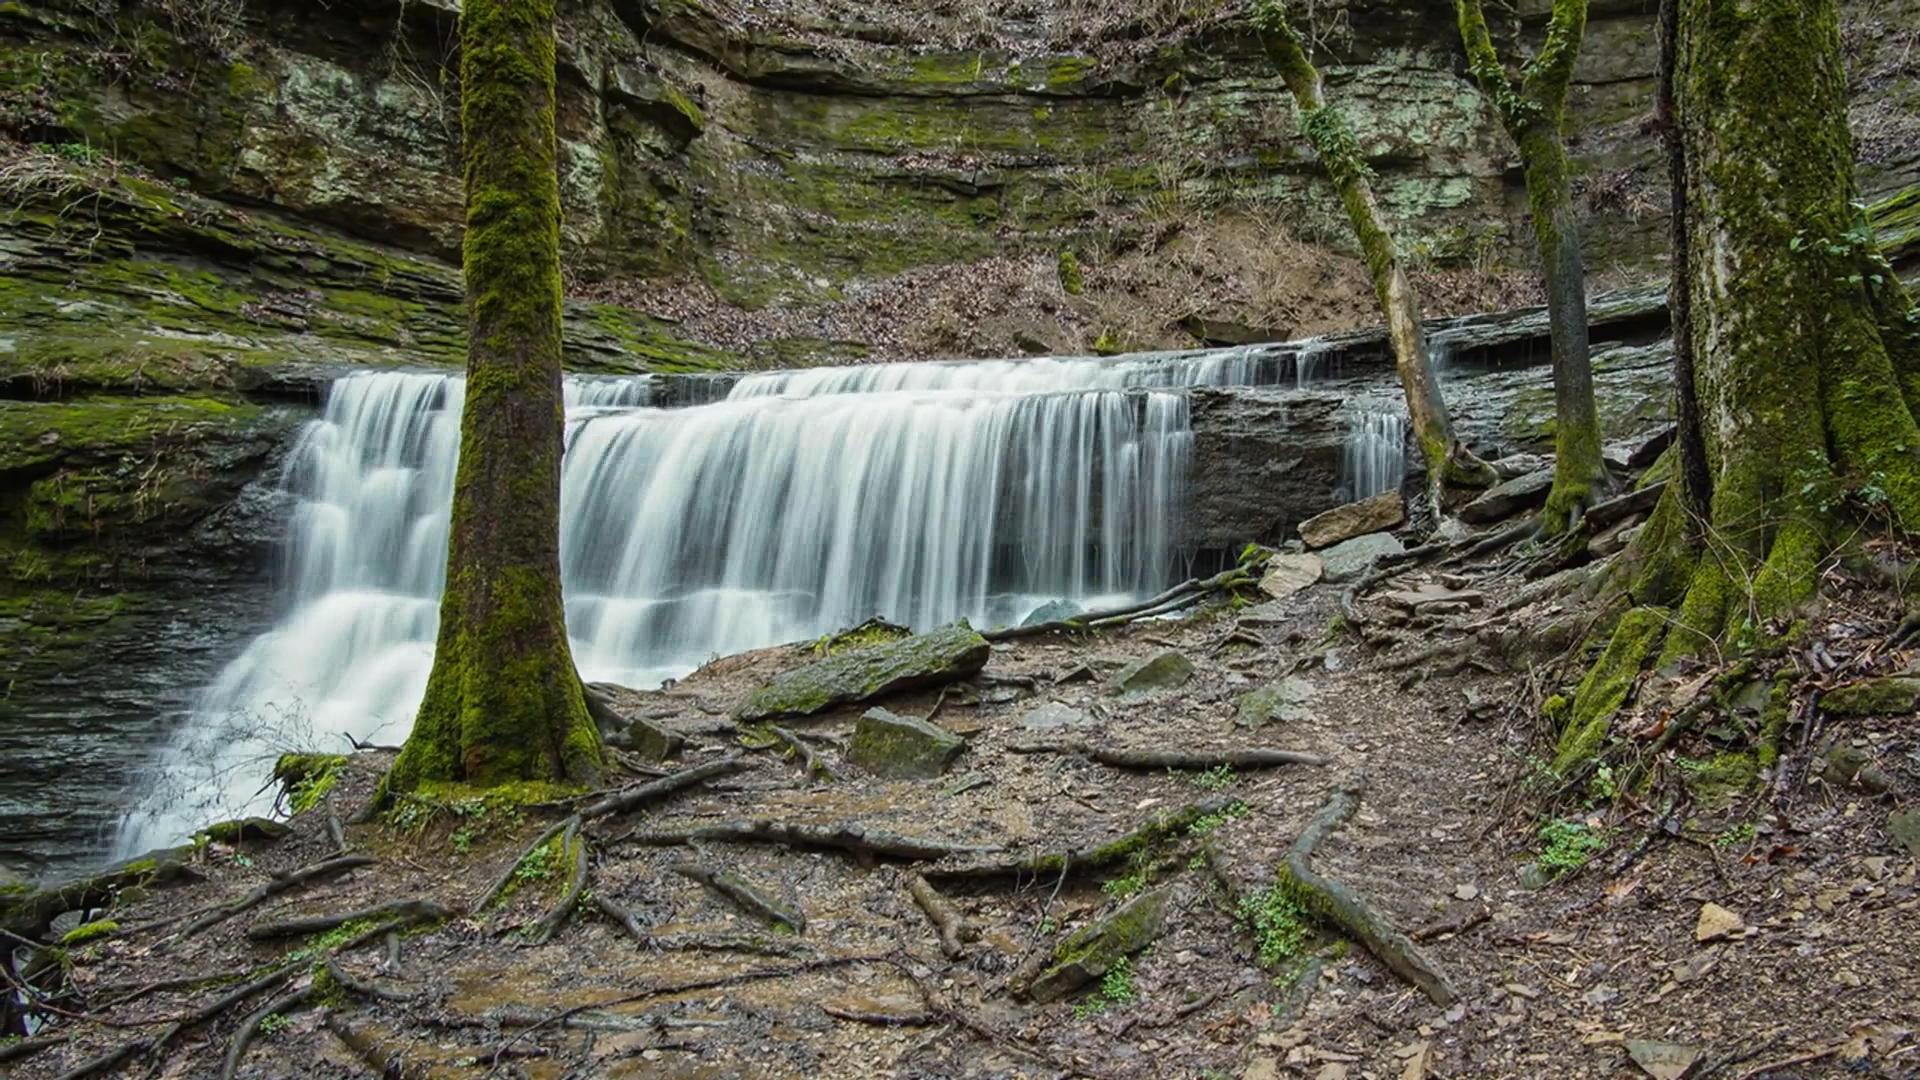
<point x="1339" y="151"/>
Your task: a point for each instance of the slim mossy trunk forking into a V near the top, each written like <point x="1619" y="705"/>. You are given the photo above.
<point x="1533" y="114"/>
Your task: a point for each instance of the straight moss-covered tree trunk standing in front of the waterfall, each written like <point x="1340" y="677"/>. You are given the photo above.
<point x="504" y="700"/>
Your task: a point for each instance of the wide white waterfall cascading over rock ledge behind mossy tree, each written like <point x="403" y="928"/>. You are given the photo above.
<point x="800" y="504"/>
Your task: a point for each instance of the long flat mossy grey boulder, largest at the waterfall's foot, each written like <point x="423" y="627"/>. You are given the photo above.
<point x="859" y="675"/>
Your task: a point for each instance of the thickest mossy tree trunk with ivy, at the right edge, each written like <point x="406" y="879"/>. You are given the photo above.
<point x="1802" y="341"/>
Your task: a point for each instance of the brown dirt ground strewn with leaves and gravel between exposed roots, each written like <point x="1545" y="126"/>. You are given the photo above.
<point x="1554" y="981"/>
